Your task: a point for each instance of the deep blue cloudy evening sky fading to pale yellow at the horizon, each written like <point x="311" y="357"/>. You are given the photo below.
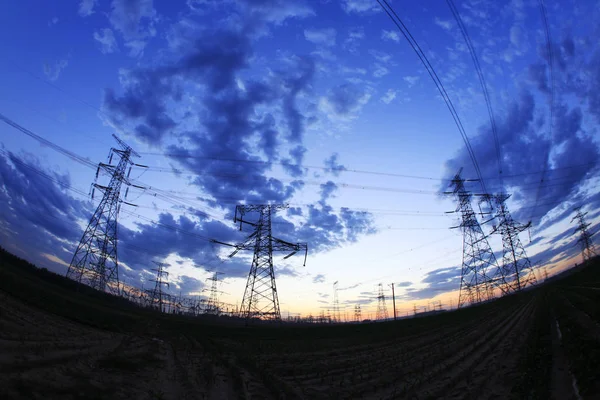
<point x="322" y="105"/>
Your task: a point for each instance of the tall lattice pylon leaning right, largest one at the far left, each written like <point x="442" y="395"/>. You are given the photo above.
<point x="95" y="261"/>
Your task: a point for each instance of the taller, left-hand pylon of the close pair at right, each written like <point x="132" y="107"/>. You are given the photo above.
<point x="476" y="284"/>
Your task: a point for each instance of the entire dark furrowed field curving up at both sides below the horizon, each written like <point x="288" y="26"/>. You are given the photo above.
<point x="58" y="342"/>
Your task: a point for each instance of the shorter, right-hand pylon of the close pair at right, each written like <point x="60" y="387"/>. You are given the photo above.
<point x="517" y="271"/>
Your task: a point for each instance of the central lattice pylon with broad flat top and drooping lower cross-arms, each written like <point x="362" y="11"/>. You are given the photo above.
<point x="260" y="296"/>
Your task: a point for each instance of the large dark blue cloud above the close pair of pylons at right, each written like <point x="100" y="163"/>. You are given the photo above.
<point x="525" y="148"/>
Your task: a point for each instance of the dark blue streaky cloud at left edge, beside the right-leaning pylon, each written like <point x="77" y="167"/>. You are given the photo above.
<point x="38" y="217"/>
